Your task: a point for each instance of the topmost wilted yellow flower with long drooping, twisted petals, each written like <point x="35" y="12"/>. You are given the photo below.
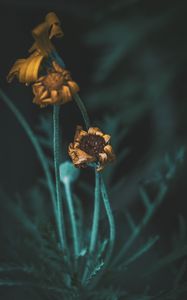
<point x="27" y="70"/>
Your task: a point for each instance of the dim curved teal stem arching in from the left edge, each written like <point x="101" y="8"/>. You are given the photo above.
<point x="24" y="124"/>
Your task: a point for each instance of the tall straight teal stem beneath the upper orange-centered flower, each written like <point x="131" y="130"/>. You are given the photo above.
<point x="60" y="214"/>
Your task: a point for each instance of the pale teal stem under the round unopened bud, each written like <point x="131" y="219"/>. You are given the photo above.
<point x="71" y="210"/>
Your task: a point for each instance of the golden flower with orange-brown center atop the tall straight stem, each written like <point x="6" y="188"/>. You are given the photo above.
<point x="57" y="87"/>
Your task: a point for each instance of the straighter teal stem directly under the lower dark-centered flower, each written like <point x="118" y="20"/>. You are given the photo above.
<point x="95" y="223"/>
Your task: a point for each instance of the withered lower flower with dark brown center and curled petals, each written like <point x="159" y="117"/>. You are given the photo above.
<point x="91" y="146"/>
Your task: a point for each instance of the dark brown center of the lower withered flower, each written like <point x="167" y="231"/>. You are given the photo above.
<point x="92" y="144"/>
